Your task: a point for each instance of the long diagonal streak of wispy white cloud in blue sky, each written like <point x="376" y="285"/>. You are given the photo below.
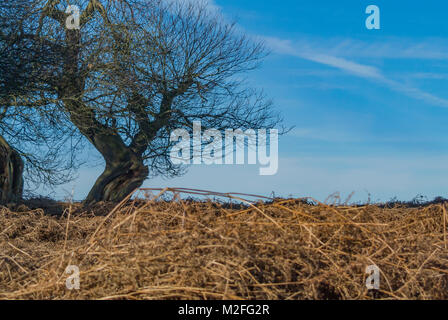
<point x="306" y="51"/>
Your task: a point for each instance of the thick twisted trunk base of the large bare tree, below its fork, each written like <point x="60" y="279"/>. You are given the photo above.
<point x="118" y="181"/>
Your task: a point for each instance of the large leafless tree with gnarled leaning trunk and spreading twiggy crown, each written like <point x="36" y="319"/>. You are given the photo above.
<point x="138" y="69"/>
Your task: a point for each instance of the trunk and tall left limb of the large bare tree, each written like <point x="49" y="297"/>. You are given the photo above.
<point x="125" y="169"/>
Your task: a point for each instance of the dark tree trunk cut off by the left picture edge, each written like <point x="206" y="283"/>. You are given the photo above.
<point x="11" y="174"/>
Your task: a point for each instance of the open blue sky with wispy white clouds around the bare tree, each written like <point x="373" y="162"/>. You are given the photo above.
<point x="370" y="107"/>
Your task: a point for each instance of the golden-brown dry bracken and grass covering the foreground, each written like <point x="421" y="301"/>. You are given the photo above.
<point x="179" y="249"/>
